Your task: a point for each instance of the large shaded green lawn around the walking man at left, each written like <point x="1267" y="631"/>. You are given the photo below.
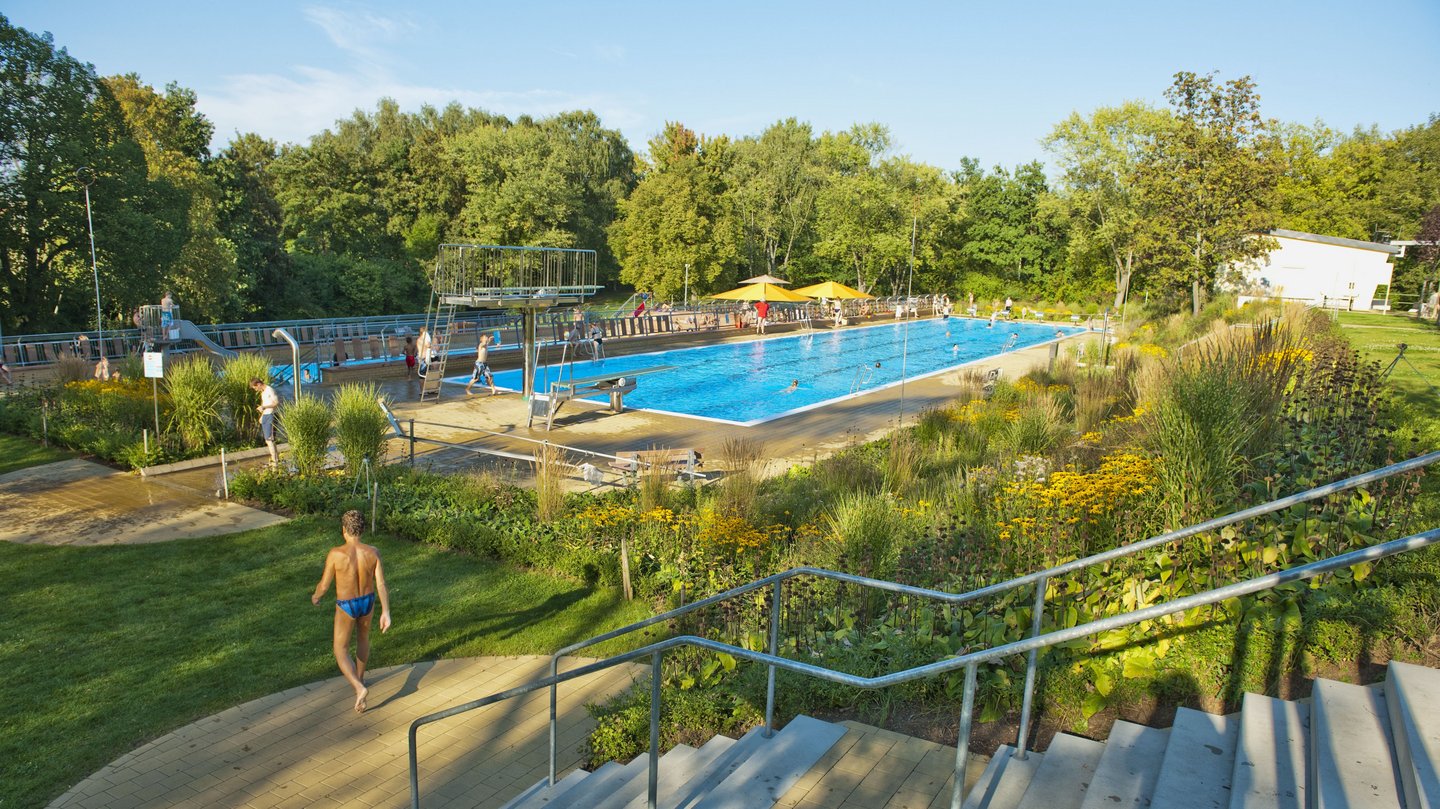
<point x="106" y="648"/>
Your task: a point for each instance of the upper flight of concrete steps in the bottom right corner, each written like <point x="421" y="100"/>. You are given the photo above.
<point x="1347" y="746"/>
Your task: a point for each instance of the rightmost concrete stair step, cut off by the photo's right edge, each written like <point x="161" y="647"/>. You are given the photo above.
<point x="1413" y="702"/>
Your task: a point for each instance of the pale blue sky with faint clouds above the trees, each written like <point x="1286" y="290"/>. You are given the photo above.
<point x="951" y="80"/>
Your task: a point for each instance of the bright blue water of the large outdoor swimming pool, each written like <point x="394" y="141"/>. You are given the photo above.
<point x="750" y="384"/>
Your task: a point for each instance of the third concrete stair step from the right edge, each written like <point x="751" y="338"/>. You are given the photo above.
<point x="1272" y="755"/>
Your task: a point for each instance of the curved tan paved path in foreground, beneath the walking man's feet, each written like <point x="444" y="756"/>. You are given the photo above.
<point x="307" y="749"/>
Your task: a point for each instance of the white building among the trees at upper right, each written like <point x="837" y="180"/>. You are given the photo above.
<point x="1324" y="271"/>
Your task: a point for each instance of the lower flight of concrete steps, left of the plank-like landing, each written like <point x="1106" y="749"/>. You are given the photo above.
<point x="724" y="774"/>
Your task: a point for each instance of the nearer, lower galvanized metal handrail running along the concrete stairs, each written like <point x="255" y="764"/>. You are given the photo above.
<point x="970" y="661"/>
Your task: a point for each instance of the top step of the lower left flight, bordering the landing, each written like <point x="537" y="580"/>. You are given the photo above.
<point x="764" y="778"/>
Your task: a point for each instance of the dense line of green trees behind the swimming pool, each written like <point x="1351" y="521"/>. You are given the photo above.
<point x="1156" y="199"/>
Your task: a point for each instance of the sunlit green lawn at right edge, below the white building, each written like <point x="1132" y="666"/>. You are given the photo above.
<point x="1377" y="338"/>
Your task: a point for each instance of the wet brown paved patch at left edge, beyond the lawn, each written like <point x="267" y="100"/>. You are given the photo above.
<point x="80" y="503"/>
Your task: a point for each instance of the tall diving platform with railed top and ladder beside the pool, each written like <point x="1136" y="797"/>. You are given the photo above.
<point x="495" y="277"/>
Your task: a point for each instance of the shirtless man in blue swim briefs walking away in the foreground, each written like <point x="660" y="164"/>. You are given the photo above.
<point x="359" y="578"/>
